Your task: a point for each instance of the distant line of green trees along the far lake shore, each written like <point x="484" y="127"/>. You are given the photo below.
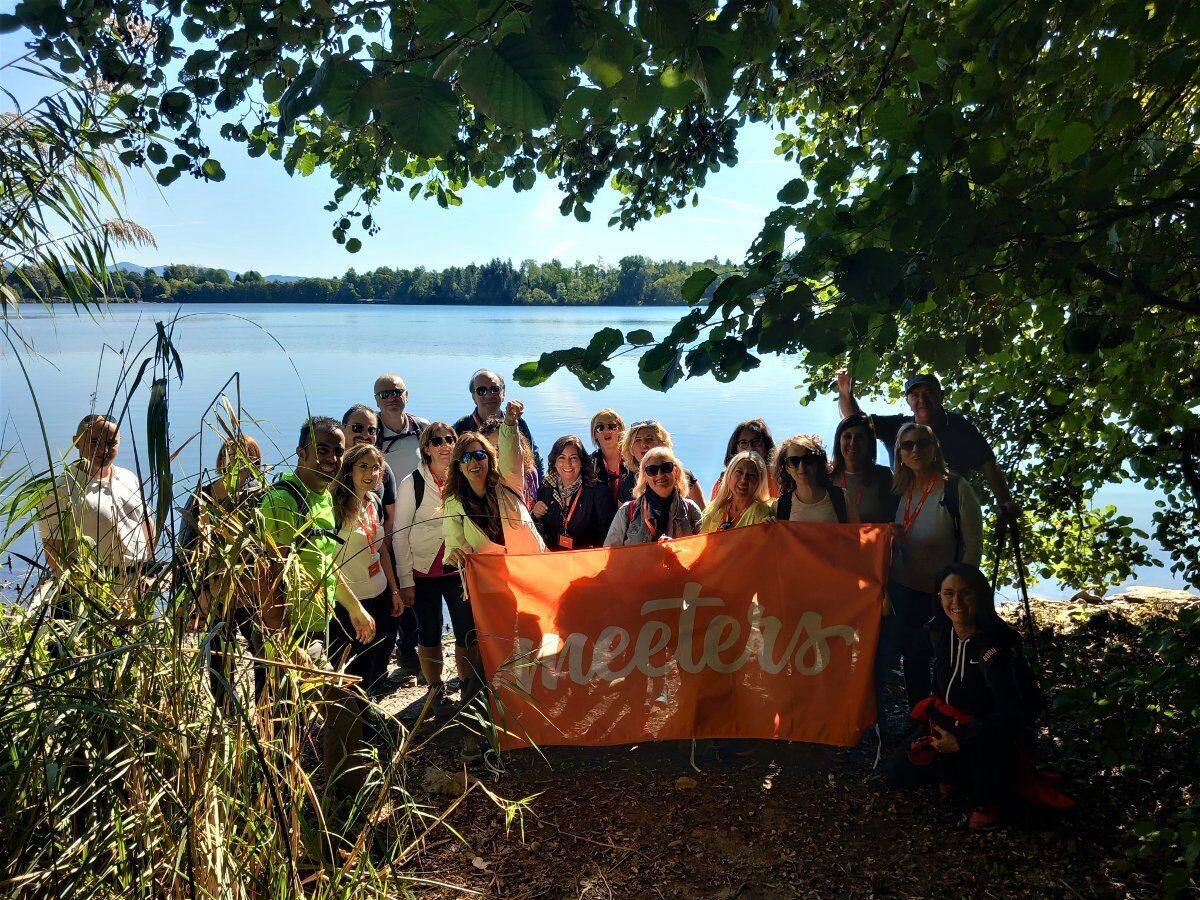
<point x="634" y="281"/>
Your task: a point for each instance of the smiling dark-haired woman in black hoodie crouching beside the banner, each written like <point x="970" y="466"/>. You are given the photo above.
<point x="983" y="700"/>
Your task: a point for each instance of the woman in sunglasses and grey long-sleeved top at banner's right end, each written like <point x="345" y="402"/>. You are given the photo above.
<point x="938" y="523"/>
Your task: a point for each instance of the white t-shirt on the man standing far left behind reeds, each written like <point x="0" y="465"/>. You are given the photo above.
<point x="110" y="512"/>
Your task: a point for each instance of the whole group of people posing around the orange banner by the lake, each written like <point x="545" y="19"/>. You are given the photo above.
<point x="365" y="537"/>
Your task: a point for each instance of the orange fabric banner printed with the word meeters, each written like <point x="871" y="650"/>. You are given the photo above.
<point x="767" y="632"/>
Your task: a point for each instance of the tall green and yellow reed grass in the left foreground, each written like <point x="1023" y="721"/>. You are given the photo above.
<point x="121" y="775"/>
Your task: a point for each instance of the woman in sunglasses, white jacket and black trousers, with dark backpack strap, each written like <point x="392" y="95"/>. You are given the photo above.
<point x="424" y="580"/>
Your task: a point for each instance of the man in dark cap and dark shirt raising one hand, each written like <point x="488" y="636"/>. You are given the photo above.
<point x="965" y="449"/>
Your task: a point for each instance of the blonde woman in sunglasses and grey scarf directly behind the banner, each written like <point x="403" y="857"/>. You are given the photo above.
<point x="661" y="509"/>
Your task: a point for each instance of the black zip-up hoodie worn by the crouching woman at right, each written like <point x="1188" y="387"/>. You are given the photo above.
<point x="986" y="677"/>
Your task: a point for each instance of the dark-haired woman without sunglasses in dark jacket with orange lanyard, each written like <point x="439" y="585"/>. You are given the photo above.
<point x="574" y="511"/>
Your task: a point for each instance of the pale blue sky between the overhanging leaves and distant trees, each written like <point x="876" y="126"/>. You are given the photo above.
<point x="261" y="219"/>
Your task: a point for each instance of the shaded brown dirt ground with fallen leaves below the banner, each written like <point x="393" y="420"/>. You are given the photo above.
<point x="785" y="820"/>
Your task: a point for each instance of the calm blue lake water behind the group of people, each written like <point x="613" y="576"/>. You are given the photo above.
<point x="327" y="358"/>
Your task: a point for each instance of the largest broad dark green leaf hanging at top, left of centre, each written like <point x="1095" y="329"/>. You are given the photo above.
<point x="519" y="83"/>
